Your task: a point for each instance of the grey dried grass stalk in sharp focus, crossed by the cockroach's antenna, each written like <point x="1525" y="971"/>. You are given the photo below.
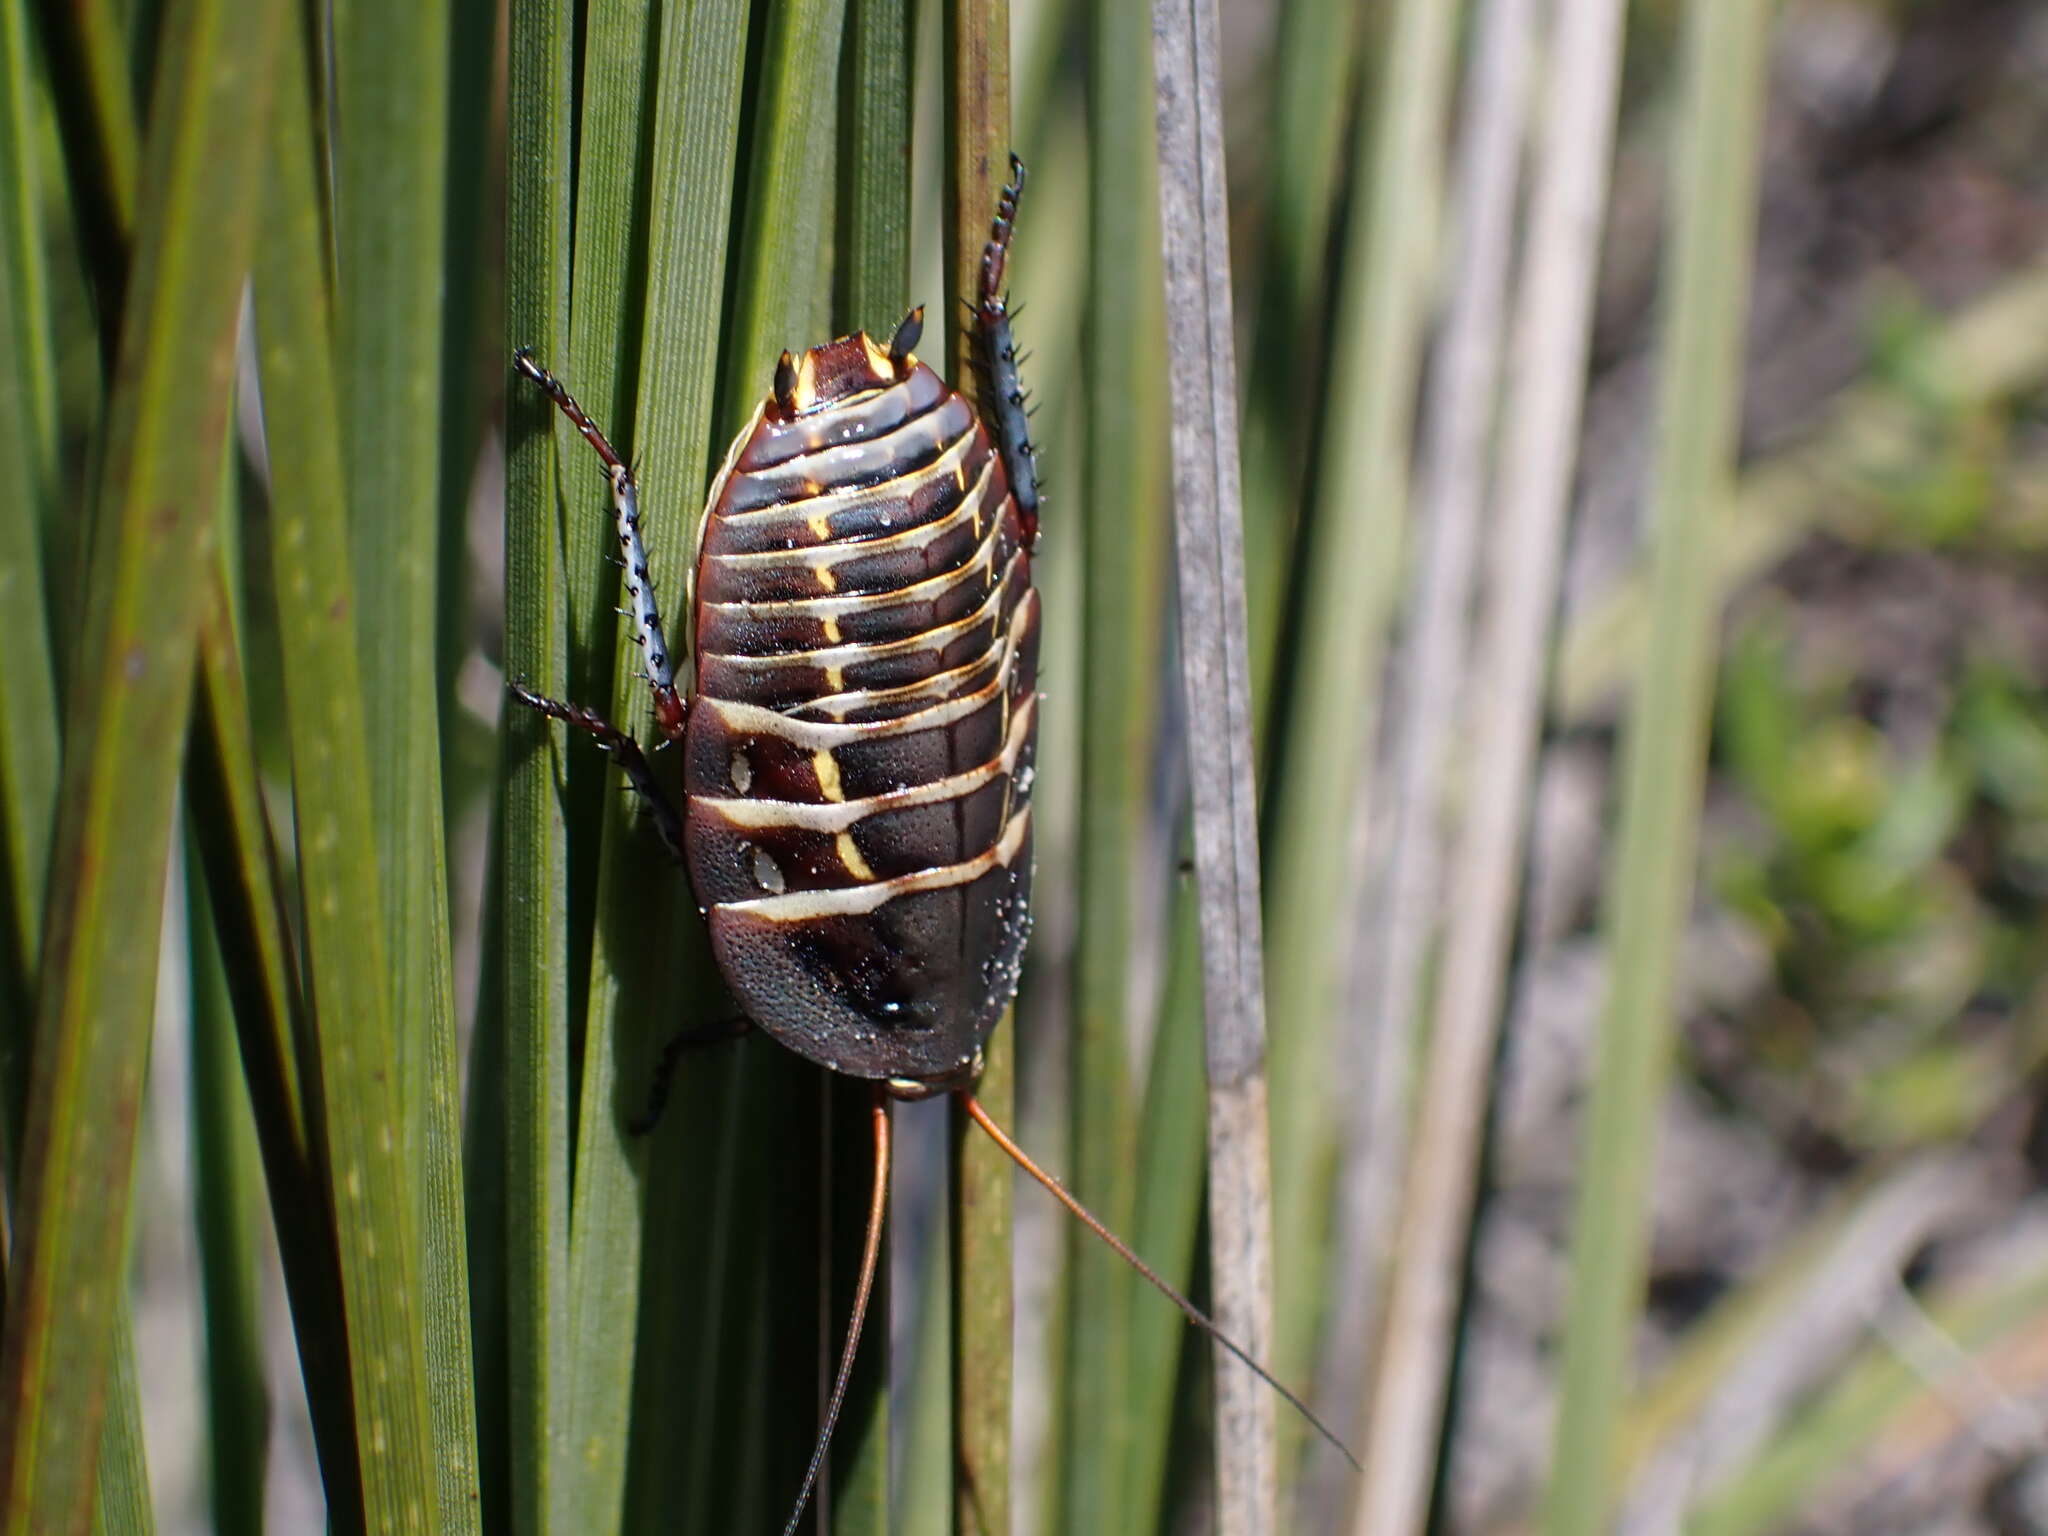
<point x="1218" y="677"/>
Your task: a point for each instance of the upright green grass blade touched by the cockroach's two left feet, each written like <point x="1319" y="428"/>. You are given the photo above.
<point x="534" y="839"/>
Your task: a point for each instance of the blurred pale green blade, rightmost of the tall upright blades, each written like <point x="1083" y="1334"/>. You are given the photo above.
<point x="1664" y="753"/>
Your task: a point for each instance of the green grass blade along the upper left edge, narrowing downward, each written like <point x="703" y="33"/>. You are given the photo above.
<point x="30" y="486"/>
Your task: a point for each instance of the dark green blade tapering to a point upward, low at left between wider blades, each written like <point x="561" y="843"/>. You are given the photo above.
<point x="226" y="1185"/>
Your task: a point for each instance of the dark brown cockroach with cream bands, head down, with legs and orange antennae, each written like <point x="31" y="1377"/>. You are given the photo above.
<point x="857" y="738"/>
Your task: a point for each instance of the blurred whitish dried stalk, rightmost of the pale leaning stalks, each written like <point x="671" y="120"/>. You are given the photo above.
<point x="1541" y="433"/>
